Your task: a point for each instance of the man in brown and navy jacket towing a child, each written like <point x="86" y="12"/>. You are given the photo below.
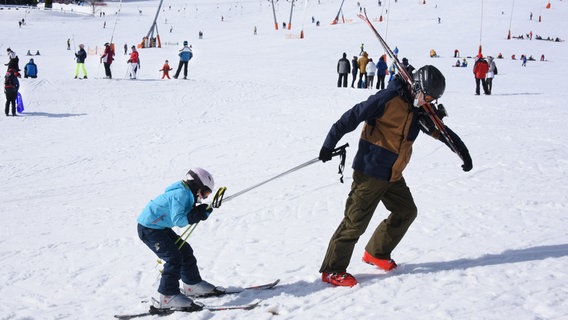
<point x="393" y="118"/>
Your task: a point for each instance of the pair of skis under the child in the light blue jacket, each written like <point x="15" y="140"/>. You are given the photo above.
<point x="200" y="306"/>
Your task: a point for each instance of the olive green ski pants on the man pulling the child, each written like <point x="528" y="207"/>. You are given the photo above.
<point x="366" y="193"/>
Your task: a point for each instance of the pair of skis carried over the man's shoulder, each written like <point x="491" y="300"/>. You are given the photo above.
<point x="410" y="81"/>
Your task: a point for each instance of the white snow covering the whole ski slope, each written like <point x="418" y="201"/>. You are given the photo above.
<point x="87" y="155"/>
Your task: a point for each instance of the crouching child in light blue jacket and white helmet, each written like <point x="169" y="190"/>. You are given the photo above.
<point x="179" y="206"/>
